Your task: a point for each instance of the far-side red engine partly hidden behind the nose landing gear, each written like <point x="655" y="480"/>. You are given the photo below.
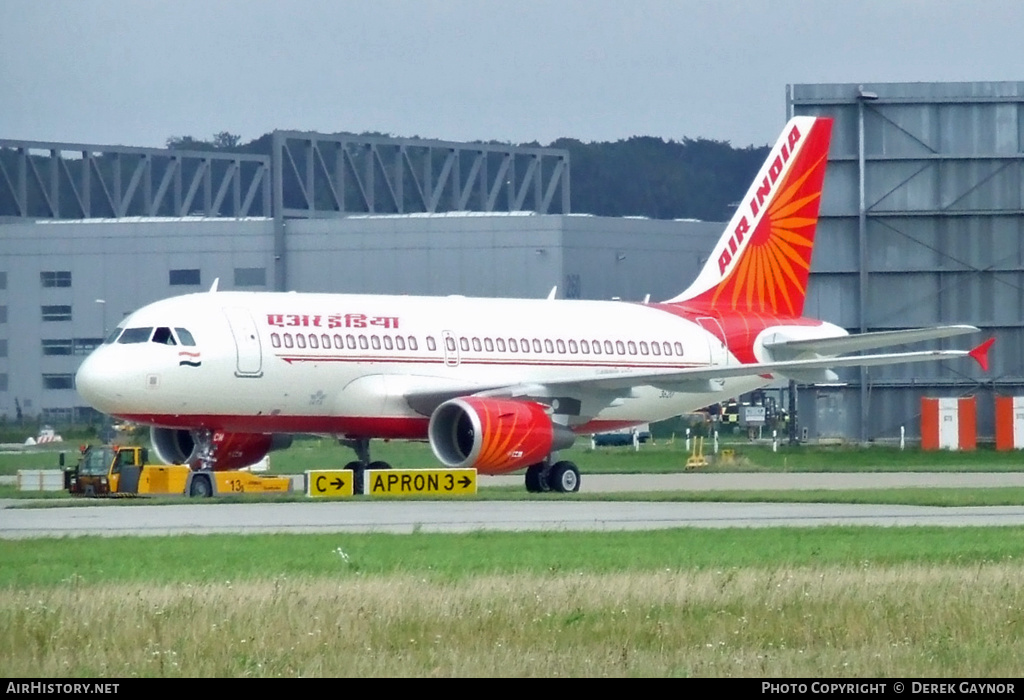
<point x="231" y="451"/>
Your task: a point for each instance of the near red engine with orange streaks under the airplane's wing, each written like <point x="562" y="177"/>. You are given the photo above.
<point x="495" y="435"/>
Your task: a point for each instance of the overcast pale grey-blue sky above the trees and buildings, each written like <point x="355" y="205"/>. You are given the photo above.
<point x="137" y="72"/>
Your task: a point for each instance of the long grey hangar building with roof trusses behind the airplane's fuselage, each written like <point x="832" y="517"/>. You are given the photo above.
<point x="93" y="233"/>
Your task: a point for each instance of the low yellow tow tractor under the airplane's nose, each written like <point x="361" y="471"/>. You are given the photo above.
<point x="123" y="471"/>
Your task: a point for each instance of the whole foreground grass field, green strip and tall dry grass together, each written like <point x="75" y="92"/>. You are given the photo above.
<point x="780" y="603"/>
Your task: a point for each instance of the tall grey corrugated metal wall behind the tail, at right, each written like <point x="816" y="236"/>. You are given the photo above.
<point x="922" y="224"/>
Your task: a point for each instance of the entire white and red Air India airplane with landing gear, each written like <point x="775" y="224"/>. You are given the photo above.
<point x="500" y="385"/>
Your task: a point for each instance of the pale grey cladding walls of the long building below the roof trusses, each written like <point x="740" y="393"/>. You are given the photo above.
<point x="57" y="272"/>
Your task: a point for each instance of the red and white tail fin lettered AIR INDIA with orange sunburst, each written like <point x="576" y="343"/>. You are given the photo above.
<point x="762" y="261"/>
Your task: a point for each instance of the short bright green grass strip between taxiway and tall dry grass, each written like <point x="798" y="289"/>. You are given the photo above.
<point x="203" y="559"/>
